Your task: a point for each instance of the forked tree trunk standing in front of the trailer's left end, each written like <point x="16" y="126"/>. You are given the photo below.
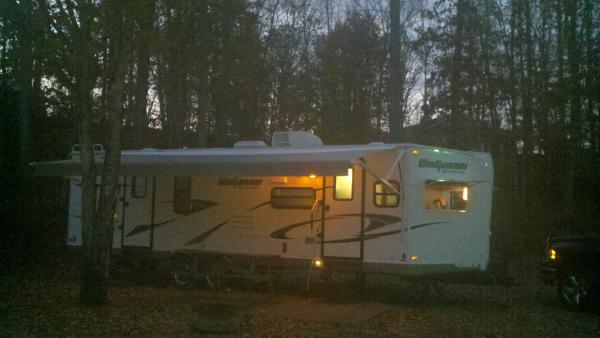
<point x="98" y="241"/>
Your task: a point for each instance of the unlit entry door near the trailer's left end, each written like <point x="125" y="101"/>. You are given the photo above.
<point x="137" y="215"/>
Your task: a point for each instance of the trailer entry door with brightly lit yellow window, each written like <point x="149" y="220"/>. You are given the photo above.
<point x="342" y="228"/>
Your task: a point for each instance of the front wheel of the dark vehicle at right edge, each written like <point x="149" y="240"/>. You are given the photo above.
<point x="574" y="290"/>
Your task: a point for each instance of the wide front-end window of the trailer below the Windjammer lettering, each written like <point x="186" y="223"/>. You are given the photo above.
<point x="444" y="195"/>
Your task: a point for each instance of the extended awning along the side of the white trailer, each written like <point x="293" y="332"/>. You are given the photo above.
<point x="260" y="161"/>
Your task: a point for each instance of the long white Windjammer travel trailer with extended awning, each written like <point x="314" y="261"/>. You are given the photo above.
<point x="393" y="208"/>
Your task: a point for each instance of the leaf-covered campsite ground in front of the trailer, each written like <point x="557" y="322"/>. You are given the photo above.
<point x="42" y="304"/>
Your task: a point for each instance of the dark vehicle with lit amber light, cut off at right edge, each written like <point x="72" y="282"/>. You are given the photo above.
<point x="573" y="264"/>
